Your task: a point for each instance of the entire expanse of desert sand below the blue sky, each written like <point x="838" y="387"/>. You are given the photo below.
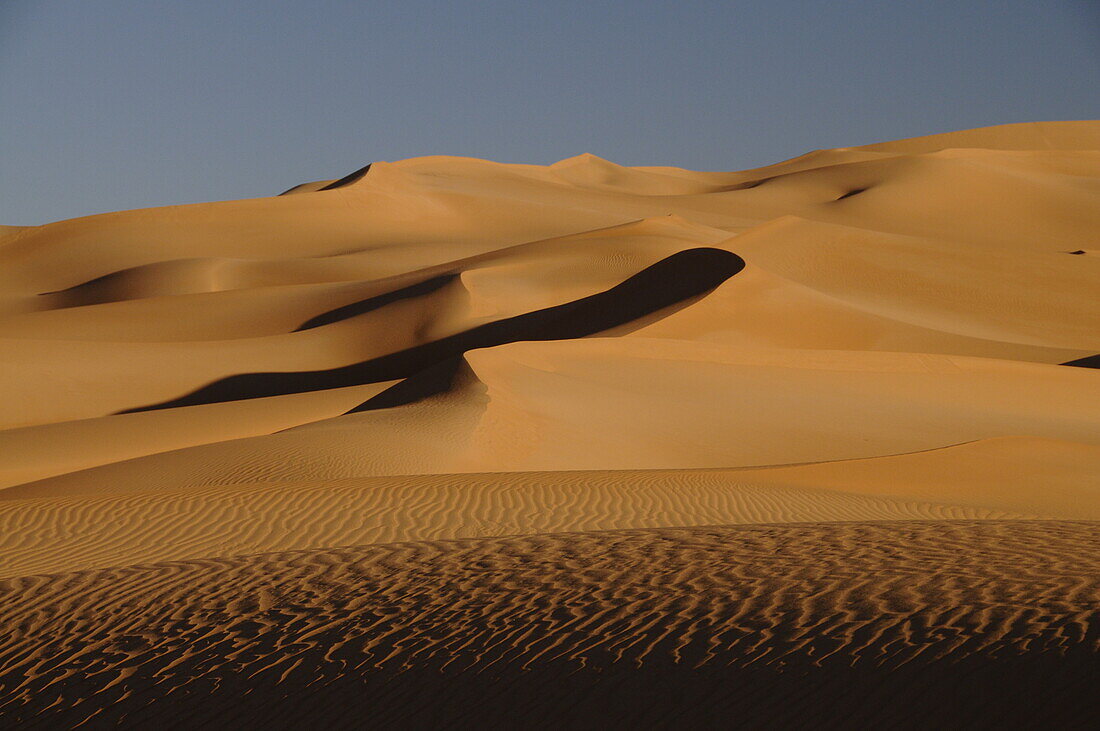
<point x="449" y="442"/>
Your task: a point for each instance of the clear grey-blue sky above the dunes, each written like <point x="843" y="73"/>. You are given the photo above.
<point x="108" y="105"/>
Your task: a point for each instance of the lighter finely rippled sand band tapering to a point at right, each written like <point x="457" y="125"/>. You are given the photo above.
<point x="48" y="536"/>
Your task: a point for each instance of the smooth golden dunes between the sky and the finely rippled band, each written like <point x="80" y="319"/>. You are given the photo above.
<point x="474" y="317"/>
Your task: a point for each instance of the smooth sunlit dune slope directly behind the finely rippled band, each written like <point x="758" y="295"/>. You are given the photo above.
<point x="647" y="404"/>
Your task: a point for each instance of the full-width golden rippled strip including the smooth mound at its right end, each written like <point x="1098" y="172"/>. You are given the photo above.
<point x="90" y="522"/>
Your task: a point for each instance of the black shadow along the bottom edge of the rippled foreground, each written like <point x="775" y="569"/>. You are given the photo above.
<point x="1019" y="693"/>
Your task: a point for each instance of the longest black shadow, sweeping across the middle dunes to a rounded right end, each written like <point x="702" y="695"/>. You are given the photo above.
<point x="672" y="281"/>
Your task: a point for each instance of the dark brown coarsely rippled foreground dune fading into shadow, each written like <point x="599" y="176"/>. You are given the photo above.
<point x="964" y="623"/>
